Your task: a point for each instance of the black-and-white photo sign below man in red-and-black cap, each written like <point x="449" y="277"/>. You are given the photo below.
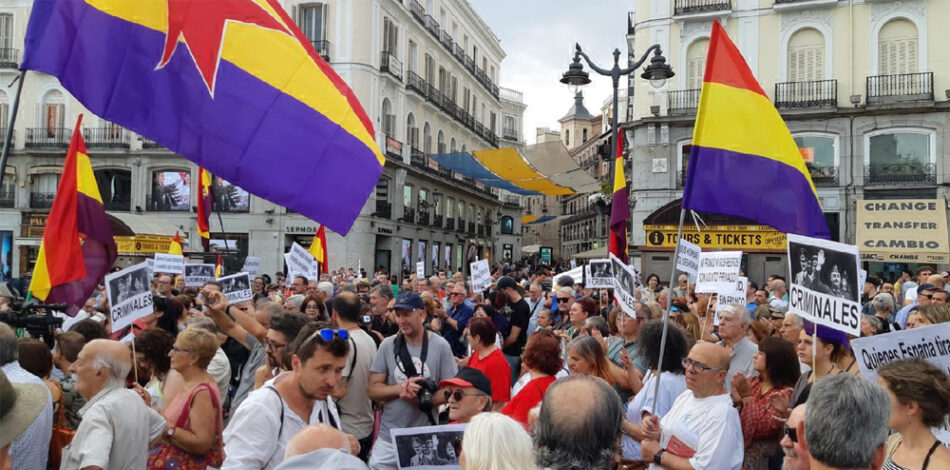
<point x="429" y="447"/>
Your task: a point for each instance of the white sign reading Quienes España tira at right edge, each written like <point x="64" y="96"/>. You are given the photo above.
<point x="931" y="343"/>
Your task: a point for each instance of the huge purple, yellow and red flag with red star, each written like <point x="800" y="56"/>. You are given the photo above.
<point x="232" y="85"/>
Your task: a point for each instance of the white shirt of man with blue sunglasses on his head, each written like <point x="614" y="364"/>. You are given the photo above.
<point x="256" y="438"/>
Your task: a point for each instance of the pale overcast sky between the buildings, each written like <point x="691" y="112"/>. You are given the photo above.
<point x="538" y="38"/>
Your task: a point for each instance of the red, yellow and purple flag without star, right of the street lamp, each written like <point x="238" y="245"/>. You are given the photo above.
<point x="744" y="162"/>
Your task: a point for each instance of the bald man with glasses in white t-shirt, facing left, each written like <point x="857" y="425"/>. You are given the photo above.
<point x="702" y="429"/>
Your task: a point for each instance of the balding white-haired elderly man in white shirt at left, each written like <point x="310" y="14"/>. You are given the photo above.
<point x="117" y="426"/>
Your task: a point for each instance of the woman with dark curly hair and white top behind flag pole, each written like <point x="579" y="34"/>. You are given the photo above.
<point x="672" y="382"/>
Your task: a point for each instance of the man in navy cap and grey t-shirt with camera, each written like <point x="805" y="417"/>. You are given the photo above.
<point x="405" y="374"/>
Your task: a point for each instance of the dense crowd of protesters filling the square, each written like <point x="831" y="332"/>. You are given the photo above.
<point x="543" y="371"/>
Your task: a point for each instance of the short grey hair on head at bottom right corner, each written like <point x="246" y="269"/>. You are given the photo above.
<point x="837" y="405"/>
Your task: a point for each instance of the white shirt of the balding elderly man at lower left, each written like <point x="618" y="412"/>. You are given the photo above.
<point x="115" y="432"/>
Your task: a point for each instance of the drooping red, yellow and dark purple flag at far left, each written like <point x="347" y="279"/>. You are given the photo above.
<point x="77" y="248"/>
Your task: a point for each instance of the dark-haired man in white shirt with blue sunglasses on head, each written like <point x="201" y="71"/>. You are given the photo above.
<point x="270" y="416"/>
